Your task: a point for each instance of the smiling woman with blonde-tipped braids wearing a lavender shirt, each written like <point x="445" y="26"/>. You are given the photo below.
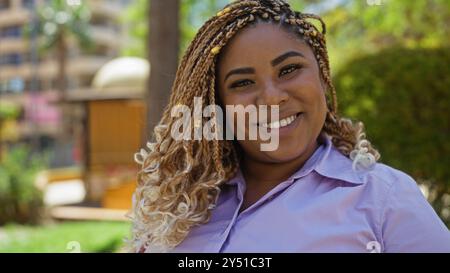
<point x="320" y="190"/>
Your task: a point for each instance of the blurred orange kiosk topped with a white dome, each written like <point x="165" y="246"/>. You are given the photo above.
<point x="114" y="130"/>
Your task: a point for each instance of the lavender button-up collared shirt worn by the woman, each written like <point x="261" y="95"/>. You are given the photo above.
<point x="325" y="206"/>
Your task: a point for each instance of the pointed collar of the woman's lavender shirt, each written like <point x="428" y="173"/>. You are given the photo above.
<point x="326" y="161"/>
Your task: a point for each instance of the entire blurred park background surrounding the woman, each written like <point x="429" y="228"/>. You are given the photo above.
<point x="82" y="81"/>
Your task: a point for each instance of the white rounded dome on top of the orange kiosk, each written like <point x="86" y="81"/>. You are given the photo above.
<point x="125" y="72"/>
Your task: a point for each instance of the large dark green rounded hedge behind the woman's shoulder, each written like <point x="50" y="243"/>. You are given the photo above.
<point x="402" y="96"/>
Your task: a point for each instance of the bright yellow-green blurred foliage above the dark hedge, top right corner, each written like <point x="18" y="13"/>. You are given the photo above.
<point x="356" y="28"/>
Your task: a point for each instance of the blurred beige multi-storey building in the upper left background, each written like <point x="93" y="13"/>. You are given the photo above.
<point x="29" y="80"/>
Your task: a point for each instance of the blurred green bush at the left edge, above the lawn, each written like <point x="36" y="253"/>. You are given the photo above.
<point x="20" y="200"/>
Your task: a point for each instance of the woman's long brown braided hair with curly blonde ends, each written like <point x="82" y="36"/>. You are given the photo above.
<point x="178" y="184"/>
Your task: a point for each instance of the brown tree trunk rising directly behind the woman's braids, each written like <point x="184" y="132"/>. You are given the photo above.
<point x="163" y="46"/>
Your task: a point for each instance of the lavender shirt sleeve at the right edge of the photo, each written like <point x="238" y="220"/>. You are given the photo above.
<point x="409" y="223"/>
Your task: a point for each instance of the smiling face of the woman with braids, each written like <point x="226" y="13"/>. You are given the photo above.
<point x="265" y="65"/>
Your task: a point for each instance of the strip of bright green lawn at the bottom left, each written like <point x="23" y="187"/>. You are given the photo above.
<point x="58" y="238"/>
